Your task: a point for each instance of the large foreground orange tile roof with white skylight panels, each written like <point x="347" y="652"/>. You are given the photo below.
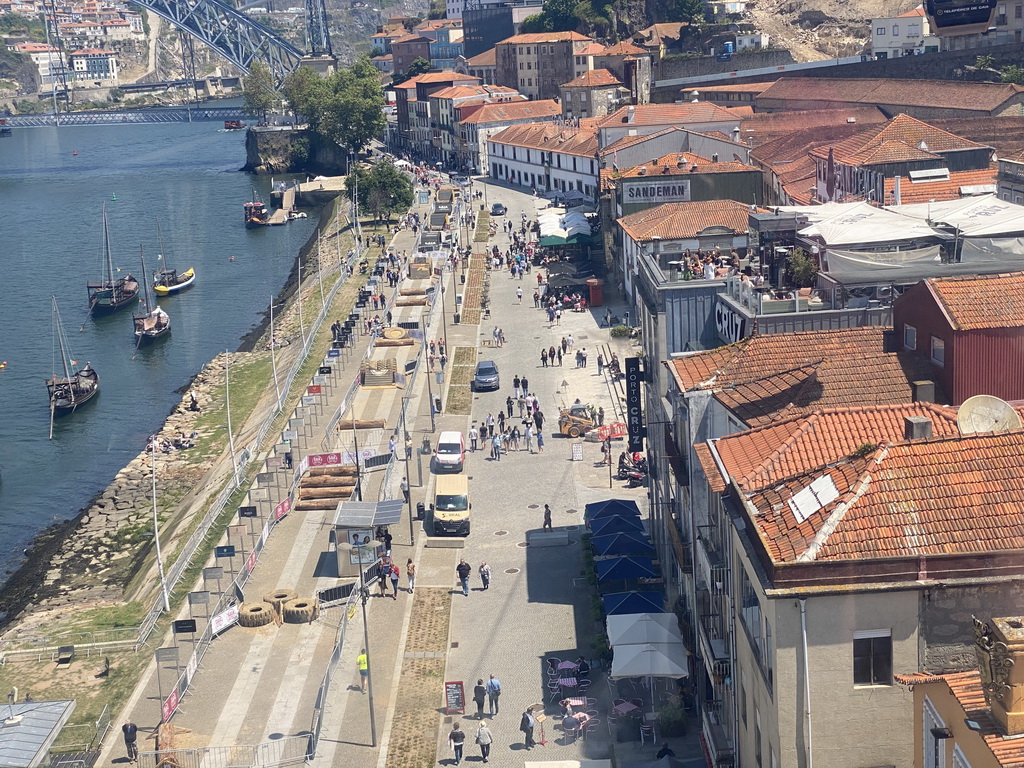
<point x="948" y="496"/>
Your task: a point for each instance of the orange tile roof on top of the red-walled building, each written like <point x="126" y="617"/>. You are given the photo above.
<point x="979" y="303"/>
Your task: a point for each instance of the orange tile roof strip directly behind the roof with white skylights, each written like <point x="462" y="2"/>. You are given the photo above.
<point x="769" y="454"/>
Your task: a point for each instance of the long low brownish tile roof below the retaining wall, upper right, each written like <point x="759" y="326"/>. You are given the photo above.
<point x="931" y="94"/>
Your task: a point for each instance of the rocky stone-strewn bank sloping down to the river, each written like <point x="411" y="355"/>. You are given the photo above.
<point x="90" y="561"/>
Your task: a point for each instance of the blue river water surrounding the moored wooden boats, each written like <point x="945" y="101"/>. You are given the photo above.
<point x="187" y="177"/>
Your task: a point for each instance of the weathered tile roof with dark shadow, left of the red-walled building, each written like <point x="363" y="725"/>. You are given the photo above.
<point x="769" y="377"/>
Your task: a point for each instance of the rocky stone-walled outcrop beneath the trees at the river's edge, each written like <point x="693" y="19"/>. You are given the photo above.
<point x="294" y="151"/>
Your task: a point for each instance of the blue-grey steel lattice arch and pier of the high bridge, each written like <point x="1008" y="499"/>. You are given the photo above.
<point x="241" y="39"/>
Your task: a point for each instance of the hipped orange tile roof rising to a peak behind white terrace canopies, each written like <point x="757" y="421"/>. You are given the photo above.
<point x="898" y="141"/>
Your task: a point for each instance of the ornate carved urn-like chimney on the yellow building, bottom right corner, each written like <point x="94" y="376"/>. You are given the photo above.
<point x="1000" y="647"/>
